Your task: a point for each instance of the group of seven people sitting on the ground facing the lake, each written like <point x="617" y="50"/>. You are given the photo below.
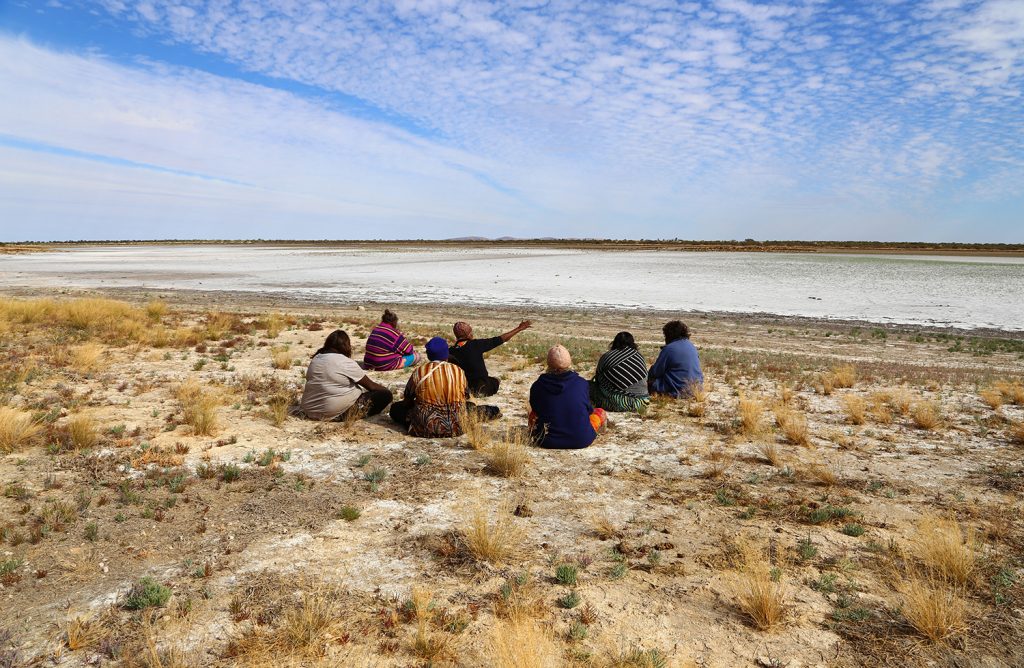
<point x="566" y="410"/>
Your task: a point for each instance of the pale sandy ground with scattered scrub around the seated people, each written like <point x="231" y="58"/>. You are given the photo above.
<point x="660" y="517"/>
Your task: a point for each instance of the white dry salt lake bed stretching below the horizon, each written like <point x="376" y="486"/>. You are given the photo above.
<point x="954" y="291"/>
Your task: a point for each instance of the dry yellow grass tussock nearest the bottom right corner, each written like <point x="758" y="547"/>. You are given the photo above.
<point x="935" y="610"/>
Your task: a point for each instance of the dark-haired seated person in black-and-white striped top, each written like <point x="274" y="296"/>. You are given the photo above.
<point x="620" y="383"/>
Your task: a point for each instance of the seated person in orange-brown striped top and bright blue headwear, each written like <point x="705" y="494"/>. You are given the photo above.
<point x="435" y="403"/>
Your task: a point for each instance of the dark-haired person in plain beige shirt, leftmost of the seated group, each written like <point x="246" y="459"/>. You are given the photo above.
<point x="335" y="384"/>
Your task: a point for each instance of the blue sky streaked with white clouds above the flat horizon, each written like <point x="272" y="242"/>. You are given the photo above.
<point x="718" y="119"/>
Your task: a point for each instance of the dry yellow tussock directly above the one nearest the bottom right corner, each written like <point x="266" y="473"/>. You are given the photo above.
<point x="947" y="551"/>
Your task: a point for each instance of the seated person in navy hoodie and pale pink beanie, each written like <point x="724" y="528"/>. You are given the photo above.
<point x="562" y="415"/>
